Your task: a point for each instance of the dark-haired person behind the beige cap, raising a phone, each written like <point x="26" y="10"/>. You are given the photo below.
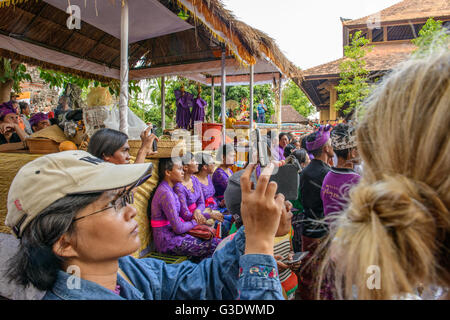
<point x="112" y="146"/>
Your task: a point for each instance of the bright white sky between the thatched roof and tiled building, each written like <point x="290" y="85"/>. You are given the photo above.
<point x="308" y="32"/>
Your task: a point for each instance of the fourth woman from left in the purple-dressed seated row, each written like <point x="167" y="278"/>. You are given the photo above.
<point x="220" y="177"/>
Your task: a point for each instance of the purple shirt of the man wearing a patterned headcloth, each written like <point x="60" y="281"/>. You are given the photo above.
<point x="336" y="187"/>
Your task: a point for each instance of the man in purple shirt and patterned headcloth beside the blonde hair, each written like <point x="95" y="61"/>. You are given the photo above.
<point x="338" y="182"/>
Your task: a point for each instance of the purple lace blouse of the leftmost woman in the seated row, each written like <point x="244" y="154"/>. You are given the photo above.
<point x="166" y="207"/>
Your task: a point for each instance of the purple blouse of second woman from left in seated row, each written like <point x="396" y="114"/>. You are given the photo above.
<point x="188" y="198"/>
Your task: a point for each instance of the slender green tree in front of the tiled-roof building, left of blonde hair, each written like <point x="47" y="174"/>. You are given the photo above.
<point x="354" y="86"/>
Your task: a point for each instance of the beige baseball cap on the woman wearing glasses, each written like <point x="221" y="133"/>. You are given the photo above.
<point x="51" y="177"/>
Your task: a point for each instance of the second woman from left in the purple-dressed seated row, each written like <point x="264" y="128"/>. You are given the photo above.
<point x="190" y="193"/>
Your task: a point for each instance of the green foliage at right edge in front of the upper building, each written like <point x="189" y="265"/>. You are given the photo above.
<point x="432" y="37"/>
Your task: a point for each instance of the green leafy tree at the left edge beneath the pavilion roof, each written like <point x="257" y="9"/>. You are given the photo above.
<point x="12" y="73"/>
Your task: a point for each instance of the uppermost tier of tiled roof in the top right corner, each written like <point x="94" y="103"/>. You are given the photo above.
<point x="406" y="10"/>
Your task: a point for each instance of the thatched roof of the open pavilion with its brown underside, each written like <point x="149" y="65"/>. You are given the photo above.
<point x="39" y="23"/>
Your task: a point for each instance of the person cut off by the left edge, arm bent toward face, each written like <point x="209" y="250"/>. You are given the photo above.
<point x="12" y="137"/>
